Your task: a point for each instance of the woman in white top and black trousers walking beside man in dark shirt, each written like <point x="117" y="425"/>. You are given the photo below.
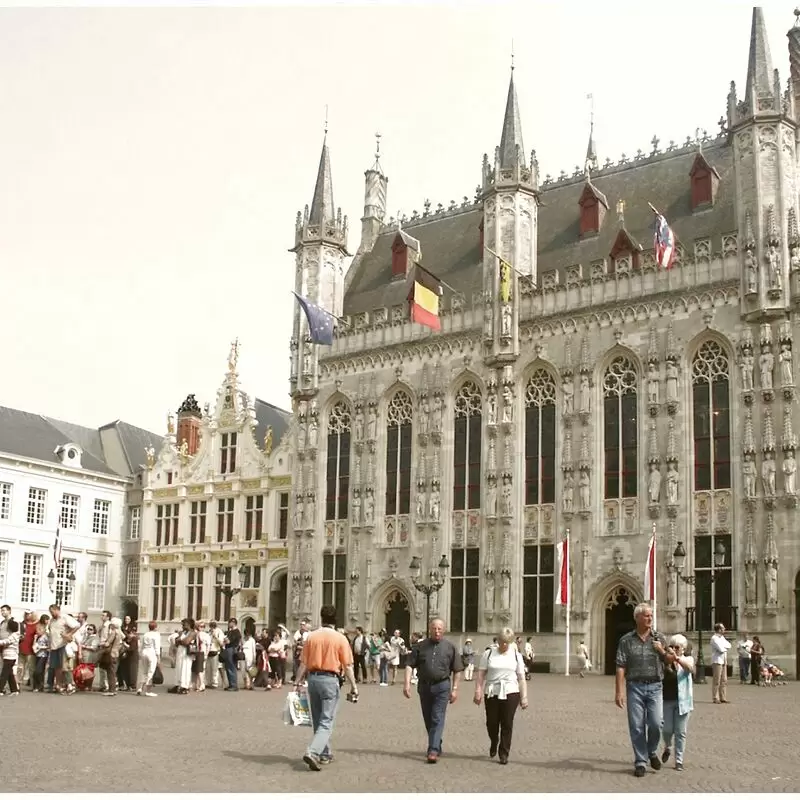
<point x="501" y="680"/>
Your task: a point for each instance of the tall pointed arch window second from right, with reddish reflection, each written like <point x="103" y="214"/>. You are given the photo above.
<point x="620" y="428"/>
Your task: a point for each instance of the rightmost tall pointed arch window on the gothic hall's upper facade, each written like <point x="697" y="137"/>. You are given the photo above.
<point x="711" y="413"/>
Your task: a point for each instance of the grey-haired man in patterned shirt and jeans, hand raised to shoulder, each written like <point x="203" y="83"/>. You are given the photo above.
<point x="641" y="655"/>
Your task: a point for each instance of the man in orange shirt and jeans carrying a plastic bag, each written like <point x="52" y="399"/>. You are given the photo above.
<point x="326" y="656"/>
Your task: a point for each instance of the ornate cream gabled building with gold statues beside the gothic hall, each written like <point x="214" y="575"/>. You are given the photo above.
<point x="208" y="539"/>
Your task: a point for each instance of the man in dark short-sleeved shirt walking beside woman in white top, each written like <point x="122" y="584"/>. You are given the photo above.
<point x="435" y="659"/>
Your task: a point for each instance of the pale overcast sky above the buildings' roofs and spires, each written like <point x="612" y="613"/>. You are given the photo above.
<point x="153" y="160"/>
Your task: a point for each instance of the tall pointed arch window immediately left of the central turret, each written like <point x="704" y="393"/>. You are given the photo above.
<point x="467" y="450"/>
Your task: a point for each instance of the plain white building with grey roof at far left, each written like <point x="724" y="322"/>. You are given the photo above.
<point x="59" y="476"/>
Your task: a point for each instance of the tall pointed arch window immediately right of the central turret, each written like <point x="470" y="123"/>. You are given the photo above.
<point x="540" y="439"/>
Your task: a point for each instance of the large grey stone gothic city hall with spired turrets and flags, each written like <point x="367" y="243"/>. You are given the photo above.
<point x="521" y="367"/>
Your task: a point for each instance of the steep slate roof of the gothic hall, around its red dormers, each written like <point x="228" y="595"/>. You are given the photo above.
<point x="450" y="241"/>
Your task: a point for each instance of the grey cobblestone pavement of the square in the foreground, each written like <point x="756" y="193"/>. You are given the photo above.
<point x="571" y="738"/>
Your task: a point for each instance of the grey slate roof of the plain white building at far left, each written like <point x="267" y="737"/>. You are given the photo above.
<point x="36" y="436"/>
